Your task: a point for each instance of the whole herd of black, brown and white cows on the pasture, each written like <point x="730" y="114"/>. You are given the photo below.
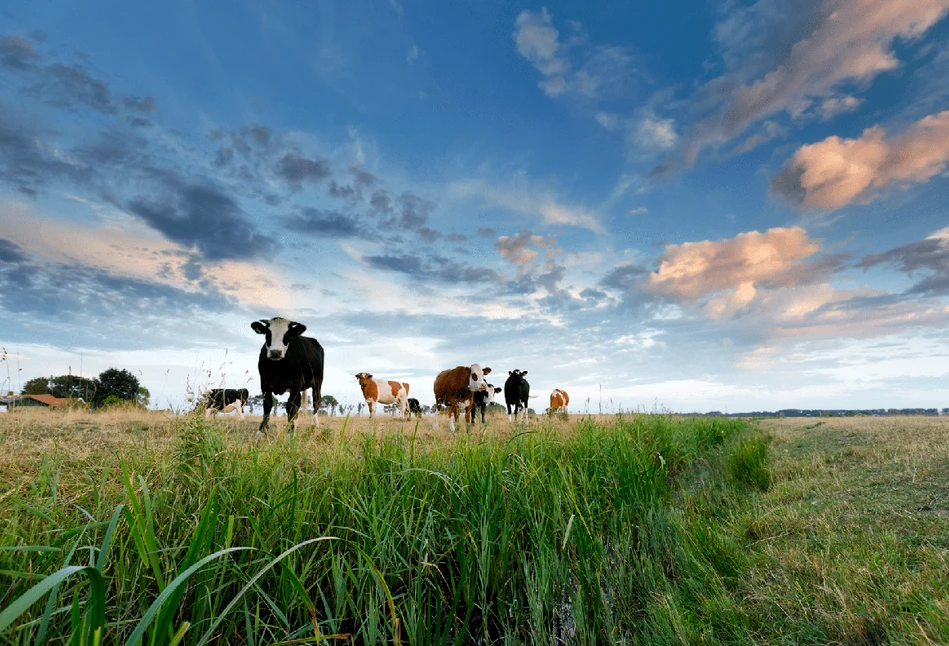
<point x="291" y="362"/>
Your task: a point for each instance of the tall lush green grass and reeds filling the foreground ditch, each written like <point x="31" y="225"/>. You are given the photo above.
<point x="603" y="534"/>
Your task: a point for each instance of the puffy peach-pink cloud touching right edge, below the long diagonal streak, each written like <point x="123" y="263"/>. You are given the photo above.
<point x="835" y="172"/>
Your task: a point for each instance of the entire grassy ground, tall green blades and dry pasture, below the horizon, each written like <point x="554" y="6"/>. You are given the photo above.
<point x="639" y="529"/>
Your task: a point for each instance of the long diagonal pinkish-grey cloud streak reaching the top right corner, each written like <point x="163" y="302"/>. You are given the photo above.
<point x="842" y="42"/>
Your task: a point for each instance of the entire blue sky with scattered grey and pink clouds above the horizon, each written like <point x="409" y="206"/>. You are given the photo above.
<point x="721" y="205"/>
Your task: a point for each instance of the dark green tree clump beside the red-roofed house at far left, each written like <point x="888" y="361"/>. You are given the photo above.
<point x="112" y="386"/>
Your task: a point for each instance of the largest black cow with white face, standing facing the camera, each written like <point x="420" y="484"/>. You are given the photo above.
<point x="288" y="362"/>
